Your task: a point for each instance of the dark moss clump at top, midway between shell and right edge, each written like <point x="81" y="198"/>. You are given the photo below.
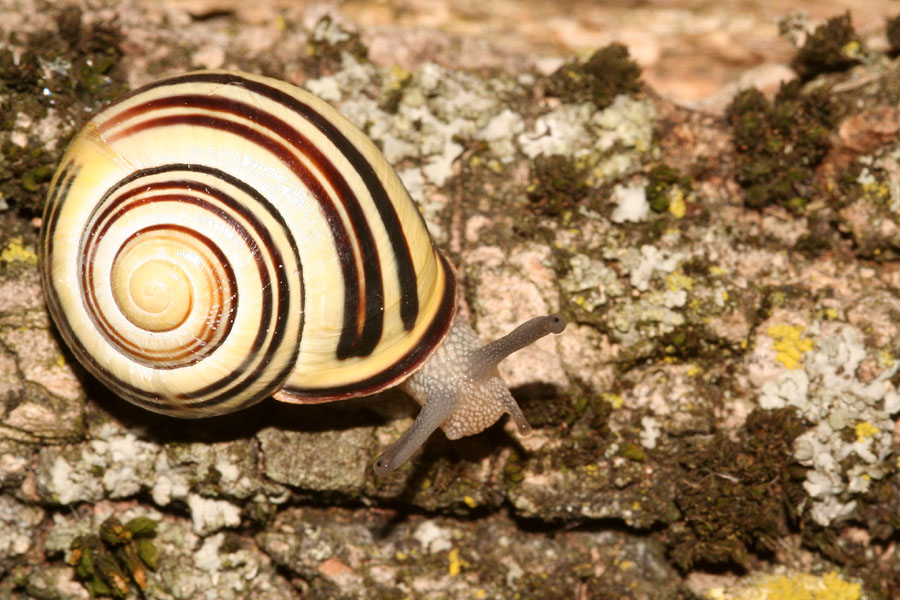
<point x="606" y="74"/>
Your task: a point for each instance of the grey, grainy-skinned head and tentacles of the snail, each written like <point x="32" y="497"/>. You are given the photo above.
<point x="460" y="389"/>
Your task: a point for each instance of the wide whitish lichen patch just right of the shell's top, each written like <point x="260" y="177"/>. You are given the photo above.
<point x="437" y="107"/>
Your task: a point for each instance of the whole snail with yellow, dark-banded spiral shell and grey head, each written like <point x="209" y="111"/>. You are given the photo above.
<point x="215" y="238"/>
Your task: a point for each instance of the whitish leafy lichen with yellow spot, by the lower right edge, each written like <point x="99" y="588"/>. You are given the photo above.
<point x="850" y="440"/>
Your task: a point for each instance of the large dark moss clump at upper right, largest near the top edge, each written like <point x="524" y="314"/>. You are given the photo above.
<point x="779" y="144"/>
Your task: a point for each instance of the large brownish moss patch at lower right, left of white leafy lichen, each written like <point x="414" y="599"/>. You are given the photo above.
<point x="738" y="497"/>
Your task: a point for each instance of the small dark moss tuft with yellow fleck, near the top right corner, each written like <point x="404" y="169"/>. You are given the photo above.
<point x="833" y="47"/>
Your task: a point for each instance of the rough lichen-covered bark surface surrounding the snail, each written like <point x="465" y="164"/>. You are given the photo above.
<point x="719" y="419"/>
